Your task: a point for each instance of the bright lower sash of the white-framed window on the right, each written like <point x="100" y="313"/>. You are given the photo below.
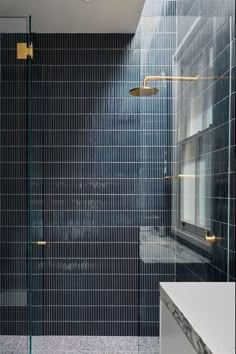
<point x="195" y="186"/>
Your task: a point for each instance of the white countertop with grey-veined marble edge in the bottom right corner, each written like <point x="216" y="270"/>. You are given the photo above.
<point x="205" y="312"/>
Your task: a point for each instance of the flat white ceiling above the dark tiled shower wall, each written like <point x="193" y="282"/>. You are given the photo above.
<point x="77" y="15"/>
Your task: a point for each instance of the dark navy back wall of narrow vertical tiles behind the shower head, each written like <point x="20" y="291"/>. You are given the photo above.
<point x="99" y="158"/>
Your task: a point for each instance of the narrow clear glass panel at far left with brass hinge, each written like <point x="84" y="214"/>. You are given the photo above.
<point x="15" y="234"/>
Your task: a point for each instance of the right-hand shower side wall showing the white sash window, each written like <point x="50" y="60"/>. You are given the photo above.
<point x="202" y="194"/>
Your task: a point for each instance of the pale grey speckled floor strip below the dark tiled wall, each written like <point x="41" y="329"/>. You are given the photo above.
<point x="85" y="345"/>
